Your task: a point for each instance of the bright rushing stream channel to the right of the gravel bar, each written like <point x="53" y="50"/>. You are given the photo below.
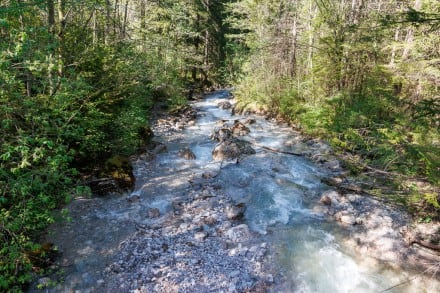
<point x="280" y="191"/>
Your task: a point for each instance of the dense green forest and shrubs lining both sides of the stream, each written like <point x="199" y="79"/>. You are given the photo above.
<point x="79" y="81"/>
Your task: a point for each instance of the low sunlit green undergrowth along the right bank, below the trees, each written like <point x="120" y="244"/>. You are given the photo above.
<point x="372" y="129"/>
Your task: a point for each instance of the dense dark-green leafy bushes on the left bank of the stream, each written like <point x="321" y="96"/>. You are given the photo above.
<point x="99" y="108"/>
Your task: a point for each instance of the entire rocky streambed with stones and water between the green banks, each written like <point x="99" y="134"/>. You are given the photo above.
<point x="193" y="225"/>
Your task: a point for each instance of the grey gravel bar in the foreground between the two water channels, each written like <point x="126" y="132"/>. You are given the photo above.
<point x="201" y="246"/>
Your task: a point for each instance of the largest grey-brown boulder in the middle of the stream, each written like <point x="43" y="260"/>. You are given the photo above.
<point x="231" y="149"/>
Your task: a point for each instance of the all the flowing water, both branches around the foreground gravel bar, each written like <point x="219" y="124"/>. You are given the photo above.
<point x="280" y="191"/>
